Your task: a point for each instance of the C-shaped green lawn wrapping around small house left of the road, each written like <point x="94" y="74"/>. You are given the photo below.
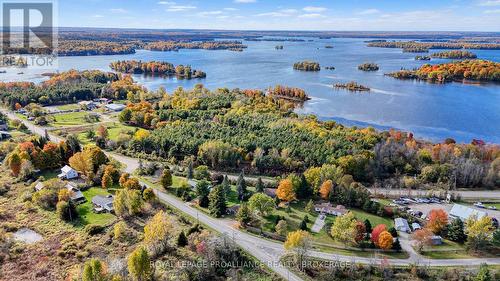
<point x="87" y="215"/>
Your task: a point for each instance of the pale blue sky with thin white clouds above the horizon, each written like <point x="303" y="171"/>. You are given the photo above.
<point x="422" y="15"/>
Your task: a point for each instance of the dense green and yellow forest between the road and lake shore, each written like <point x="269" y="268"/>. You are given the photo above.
<point x="234" y="130"/>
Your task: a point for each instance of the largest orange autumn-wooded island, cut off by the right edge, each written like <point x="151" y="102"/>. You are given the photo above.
<point x="477" y="70"/>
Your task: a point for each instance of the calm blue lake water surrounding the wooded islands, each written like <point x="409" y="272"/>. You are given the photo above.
<point x="430" y="111"/>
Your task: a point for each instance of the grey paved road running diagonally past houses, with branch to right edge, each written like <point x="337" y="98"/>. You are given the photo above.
<point x="269" y="252"/>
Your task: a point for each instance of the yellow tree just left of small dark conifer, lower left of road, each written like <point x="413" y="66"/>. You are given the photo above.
<point x="157" y="232"/>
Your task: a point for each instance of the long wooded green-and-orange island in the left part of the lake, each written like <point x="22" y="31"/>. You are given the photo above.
<point x="157" y="67"/>
